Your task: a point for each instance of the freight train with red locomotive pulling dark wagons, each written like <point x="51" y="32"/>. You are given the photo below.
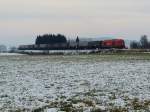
<point x="103" y="44"/>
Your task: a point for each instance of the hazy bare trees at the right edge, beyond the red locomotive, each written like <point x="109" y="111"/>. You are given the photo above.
<point x="143" y="43"/>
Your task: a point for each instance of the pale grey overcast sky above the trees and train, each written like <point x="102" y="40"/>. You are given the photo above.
<point x="22" y="20"/>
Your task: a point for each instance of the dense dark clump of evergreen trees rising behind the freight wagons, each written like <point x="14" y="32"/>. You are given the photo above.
<point x="50" y="39"/>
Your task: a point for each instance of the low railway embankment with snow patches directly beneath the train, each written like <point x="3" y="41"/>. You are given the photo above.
<point x="87" y="52"/>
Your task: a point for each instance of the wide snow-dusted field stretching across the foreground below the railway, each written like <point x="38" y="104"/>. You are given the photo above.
<point x="28" y="83"/>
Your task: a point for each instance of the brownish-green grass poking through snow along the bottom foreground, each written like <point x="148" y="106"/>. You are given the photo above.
<point x="68" y="106"/>
